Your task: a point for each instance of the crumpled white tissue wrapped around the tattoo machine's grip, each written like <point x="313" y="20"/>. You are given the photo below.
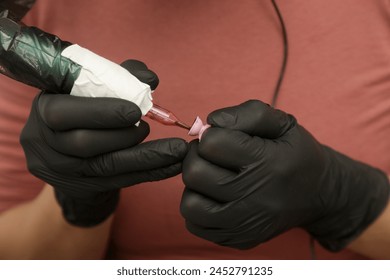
<point x="100" y="77"/>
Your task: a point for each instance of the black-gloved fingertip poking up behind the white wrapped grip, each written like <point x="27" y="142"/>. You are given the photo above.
<point x="141" y="72"/>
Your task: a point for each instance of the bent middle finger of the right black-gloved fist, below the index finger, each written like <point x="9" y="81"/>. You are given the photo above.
<point x="210" y="180"/>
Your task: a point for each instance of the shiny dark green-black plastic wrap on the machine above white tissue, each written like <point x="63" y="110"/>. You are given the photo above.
<point x="33" y="57"/>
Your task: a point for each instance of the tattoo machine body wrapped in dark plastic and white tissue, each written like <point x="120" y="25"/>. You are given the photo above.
<point x="43" y="60"/>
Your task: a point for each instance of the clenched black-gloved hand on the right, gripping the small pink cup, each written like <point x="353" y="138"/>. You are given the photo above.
<point x="257" y="173"/>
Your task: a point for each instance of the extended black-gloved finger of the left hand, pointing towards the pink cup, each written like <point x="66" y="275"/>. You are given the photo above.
<point x="146" y="156"/>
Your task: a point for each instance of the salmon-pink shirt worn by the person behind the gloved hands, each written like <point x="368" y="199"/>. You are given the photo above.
<point x="212" y="54"/>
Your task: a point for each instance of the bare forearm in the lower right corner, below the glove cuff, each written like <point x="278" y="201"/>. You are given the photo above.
<point x="375" y="241"/>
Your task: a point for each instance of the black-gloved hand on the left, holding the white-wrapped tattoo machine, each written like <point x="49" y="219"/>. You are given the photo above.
<point x="89" y="148"/>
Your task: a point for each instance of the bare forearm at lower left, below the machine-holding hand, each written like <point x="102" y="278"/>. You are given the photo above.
<point x="37" y="230"/>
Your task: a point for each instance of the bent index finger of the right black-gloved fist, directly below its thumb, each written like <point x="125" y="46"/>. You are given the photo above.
<point x="230" y="149"/>
